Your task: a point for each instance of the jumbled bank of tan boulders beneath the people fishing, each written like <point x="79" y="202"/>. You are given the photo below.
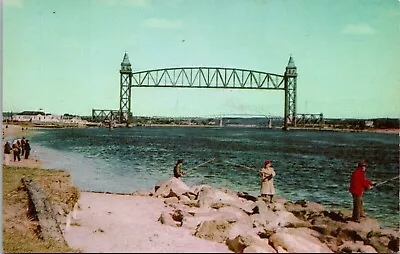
<point x="251" y="224"/>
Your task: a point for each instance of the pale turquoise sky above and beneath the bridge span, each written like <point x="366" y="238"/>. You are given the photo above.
<point x="64" y="56"/>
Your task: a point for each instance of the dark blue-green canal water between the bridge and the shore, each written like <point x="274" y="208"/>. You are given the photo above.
<point x="310" y="165"/>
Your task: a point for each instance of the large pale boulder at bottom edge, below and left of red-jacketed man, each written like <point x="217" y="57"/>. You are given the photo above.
<point x="298" y="240"/>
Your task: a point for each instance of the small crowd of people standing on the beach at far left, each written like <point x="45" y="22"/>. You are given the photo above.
<point x="18" y="148"/>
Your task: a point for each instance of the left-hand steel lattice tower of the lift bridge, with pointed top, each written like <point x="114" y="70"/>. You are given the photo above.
<point x="125" y="115"/>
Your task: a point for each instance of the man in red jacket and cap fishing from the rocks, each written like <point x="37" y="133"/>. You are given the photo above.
<point x="359" y="183"/>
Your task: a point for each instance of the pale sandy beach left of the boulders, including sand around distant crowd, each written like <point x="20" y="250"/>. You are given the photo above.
<point x="120" y="223"/>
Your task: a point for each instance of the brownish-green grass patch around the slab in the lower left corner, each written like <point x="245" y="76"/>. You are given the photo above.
<point x="20" y="228"/>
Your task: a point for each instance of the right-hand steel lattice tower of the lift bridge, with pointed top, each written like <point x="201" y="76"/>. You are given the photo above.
<point x="290" y="93"/>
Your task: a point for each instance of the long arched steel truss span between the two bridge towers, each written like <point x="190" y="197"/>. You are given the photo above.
<point x="208" y="77"/>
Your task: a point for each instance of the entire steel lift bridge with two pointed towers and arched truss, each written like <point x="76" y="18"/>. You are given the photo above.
<point x="209" y="77"/>
